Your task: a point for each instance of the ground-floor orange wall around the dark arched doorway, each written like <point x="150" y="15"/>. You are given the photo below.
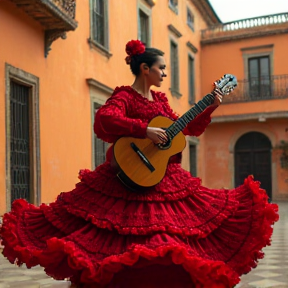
<point x="219" y="156"/>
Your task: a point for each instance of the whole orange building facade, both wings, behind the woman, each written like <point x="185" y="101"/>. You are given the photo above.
<point x="61" y="60"/>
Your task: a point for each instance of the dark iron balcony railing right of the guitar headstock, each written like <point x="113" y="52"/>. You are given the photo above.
<point x="259" y="89"/>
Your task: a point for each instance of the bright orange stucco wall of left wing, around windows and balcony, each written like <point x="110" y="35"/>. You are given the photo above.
<point x="65" y="107"/>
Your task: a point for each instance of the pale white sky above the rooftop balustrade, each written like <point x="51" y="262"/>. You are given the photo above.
<point x="230" y="10"/>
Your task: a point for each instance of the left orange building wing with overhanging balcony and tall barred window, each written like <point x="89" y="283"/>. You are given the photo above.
<point x="60" y="61"/>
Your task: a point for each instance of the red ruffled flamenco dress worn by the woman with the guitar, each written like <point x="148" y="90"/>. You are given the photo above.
<point x="176" y="234"/>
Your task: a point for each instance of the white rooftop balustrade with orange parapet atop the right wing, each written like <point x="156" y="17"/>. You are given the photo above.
<point x="246" y="28"/>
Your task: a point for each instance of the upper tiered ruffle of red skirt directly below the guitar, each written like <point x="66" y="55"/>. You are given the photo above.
<point x="108" y="205"/>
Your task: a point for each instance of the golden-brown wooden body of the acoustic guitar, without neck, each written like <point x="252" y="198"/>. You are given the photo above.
<point x="137" y="172"/>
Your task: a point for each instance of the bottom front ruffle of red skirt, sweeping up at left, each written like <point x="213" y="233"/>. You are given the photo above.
<point x="83" y="257"/>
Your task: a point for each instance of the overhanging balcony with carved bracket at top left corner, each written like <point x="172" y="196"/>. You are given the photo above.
<point x="56" y="16"/>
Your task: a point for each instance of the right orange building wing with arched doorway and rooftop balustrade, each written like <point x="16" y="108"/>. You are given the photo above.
<point x="247" y="135"/>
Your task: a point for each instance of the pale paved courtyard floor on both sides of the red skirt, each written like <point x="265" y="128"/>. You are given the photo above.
<point x="272" y="271"/>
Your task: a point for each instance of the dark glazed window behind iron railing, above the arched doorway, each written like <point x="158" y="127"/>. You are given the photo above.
<point x="259" y="77"/>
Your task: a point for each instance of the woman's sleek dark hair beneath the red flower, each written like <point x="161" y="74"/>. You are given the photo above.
<point x="150" y="56"/>
